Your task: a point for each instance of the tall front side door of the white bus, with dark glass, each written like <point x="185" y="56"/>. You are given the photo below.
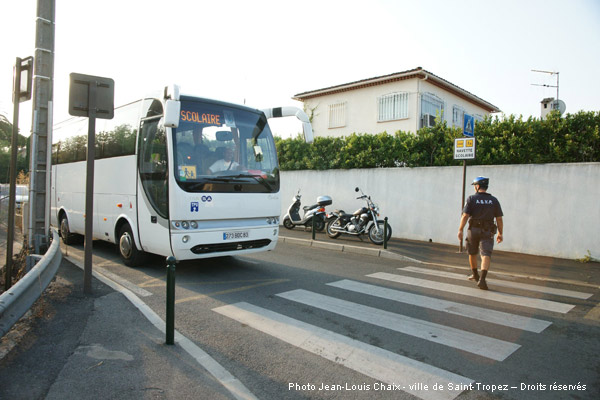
<point x="152" y="190"/>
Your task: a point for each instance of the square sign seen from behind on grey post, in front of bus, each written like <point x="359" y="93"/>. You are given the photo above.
<point x="92" y="97"/>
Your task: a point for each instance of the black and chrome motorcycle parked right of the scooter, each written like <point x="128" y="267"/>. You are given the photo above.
<point x="363" y="220"/>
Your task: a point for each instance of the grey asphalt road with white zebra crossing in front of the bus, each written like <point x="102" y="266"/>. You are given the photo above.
<point x="303" y="322"/>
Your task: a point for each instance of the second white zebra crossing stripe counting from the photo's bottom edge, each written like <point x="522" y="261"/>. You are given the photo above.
<point x="474" y="343"/>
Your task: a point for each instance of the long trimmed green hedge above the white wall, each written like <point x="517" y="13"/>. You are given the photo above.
<point x="572" y="138"/>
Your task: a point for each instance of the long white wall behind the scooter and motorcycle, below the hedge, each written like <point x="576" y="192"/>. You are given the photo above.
<point x="549" y="209"/>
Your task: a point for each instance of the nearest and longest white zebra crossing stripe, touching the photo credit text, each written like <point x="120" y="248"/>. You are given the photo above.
<point x="372" y="361"/>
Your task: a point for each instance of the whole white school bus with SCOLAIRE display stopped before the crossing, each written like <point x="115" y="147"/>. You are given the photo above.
<point x="178" y="175"/>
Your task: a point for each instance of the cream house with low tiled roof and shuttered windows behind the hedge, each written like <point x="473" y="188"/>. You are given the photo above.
<point x="405" y="101"/>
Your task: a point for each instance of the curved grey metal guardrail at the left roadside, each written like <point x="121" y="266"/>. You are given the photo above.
<point x="15" y="302"/>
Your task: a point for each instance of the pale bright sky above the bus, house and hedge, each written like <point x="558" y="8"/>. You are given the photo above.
<point x="263" y="52"/>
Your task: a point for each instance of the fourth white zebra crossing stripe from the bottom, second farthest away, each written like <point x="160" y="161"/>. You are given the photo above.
<point x="507" y="298"/>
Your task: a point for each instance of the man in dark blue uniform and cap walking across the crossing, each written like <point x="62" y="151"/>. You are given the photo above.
<point x="480" y="210"/>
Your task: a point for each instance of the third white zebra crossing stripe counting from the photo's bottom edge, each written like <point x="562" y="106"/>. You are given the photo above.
<point x="464" y="310"/>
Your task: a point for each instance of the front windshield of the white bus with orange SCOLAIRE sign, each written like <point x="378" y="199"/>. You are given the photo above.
<point x="223" y="148"/>
